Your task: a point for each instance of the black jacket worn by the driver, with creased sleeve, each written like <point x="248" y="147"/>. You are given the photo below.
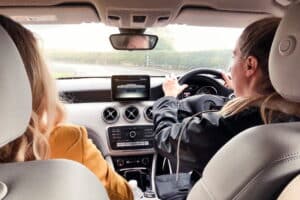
<point x="202" y="135"/>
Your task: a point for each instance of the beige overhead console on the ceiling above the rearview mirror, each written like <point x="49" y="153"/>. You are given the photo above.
<point x="132" y="13"/>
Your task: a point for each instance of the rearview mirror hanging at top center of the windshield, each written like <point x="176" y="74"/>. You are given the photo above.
<point x="133" y="41"/>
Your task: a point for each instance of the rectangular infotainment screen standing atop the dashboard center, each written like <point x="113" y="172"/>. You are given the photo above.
<point x="132" y="87"/>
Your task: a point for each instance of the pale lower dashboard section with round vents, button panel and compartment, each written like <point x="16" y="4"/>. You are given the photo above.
<point x="123" y="132"/>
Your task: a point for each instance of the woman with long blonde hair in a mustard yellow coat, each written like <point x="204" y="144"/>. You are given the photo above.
<point x="46" y="136"/>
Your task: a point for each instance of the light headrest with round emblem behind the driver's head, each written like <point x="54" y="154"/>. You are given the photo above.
<point x="284" y="61"/>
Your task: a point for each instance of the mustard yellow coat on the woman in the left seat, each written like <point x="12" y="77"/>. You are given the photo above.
<point x="71" y="142"/>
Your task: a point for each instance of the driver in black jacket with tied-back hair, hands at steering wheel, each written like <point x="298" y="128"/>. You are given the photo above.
<point x="257" y="102"/>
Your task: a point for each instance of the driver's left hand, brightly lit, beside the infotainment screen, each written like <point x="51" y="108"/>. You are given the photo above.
<point x="171" y="86"/>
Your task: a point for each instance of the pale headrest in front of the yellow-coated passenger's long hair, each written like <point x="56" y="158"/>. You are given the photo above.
<point x="16" y="98"/>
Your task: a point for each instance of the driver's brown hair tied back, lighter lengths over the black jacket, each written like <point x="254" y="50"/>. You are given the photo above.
<point x="256" y="40"/>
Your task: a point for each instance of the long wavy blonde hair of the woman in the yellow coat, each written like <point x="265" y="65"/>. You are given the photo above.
<point x="47" y="110"/>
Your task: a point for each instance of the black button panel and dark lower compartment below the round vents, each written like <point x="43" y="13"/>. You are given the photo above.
<point x="133" y="138"/>
